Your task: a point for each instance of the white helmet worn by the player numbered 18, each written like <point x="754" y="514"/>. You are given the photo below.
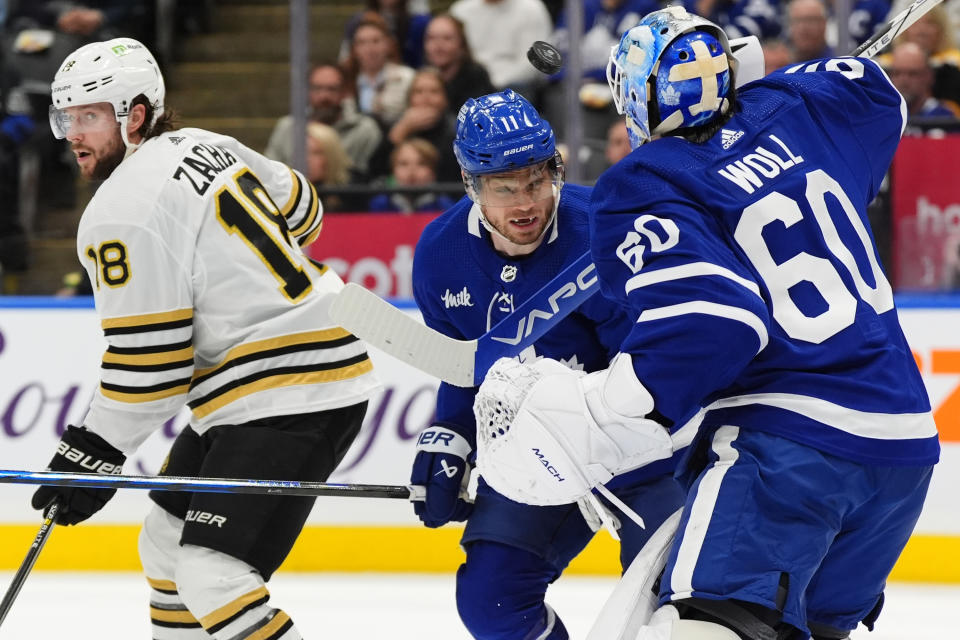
<point x="114" y="71"/>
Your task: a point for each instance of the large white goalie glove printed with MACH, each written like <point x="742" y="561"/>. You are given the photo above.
<point x="547" y="435"/>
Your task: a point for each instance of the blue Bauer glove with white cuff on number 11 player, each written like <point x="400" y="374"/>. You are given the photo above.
<point x="441" y="467"/>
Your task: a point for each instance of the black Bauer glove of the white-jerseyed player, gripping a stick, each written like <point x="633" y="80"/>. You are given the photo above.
<point x="80" y="451"/>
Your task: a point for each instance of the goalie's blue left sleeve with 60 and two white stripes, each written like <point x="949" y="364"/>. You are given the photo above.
<point x="700" y="315"/>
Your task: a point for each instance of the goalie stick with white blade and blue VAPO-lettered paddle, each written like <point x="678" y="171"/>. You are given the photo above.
<point x="463" y="362"/>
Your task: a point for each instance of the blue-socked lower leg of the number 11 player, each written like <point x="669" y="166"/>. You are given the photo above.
<point x="500" y="594"/>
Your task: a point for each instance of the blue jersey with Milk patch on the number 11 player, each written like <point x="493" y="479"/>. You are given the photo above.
<point x="464" y="287"/>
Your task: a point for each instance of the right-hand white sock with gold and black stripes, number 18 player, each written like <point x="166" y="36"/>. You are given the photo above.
<point x="229" y="597"/>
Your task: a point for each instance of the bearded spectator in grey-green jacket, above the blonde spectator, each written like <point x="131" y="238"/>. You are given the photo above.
<point x="330" y="104"/>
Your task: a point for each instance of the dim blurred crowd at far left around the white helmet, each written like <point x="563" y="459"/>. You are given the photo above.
<point x="35" y="37"/>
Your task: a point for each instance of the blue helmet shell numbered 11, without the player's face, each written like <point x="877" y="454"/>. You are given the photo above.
<point x="501" y="133"/>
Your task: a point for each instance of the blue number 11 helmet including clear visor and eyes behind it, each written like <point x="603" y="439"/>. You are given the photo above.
<point x="506" y="151"/>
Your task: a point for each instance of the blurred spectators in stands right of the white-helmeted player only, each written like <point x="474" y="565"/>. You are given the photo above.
<point x="403" y="74"/>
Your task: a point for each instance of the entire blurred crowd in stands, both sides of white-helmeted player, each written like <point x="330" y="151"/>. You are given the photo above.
<point x="383" y="114"/>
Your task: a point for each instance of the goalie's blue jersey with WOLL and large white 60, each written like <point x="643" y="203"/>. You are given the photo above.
<point x="749" y="265"/>
